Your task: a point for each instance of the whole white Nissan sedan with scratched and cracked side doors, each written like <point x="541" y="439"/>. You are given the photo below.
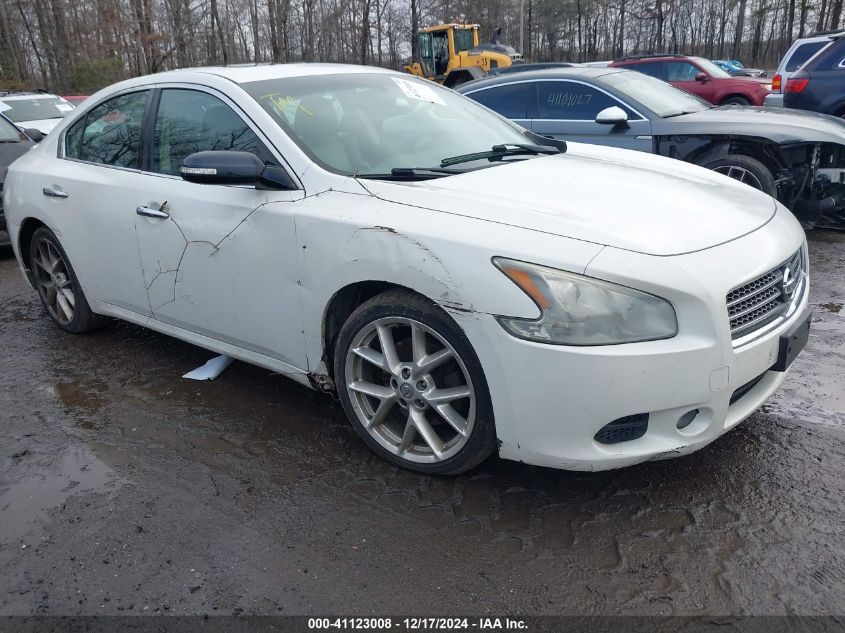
<point x="463" y="285"/>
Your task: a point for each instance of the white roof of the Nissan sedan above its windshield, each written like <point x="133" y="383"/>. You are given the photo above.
<point x="246" y="73"/>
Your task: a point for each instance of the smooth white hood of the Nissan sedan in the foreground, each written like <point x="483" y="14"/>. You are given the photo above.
<point x="625" y="199"/>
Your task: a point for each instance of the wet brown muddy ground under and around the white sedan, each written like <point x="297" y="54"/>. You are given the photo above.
<point x="126" y="489"/>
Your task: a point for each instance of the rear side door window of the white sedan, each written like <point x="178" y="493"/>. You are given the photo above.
<point x="110" y="134"/>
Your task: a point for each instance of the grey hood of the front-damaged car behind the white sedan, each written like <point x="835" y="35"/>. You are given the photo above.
<point x="780" y="125"/>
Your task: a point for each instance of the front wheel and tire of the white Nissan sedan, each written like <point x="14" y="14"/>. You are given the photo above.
<point x="412" y="386"/>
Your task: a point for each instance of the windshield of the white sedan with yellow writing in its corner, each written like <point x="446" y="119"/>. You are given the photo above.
<point x="364" y="124"/>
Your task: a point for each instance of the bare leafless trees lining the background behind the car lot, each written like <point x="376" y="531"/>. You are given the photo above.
<point x="78" y="46"/>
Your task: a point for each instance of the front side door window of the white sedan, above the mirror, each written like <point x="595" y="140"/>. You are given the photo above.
<point x="190" y="121"/>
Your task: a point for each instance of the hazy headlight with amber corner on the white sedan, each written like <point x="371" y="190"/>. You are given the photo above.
<point x="579" y="310"/>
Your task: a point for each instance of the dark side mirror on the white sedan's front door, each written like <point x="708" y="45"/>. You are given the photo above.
<point x="233" y="168"/>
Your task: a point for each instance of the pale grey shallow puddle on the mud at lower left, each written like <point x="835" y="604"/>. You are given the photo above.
<point x="29" y="500"/>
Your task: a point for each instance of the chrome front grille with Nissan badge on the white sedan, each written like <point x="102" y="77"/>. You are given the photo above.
<point x="764" y="299"/>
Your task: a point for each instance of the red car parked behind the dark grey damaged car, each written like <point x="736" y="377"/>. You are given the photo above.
<point x="700" y="77"/>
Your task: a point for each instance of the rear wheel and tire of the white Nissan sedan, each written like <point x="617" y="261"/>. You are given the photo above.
<point x="58" y="286"/>
